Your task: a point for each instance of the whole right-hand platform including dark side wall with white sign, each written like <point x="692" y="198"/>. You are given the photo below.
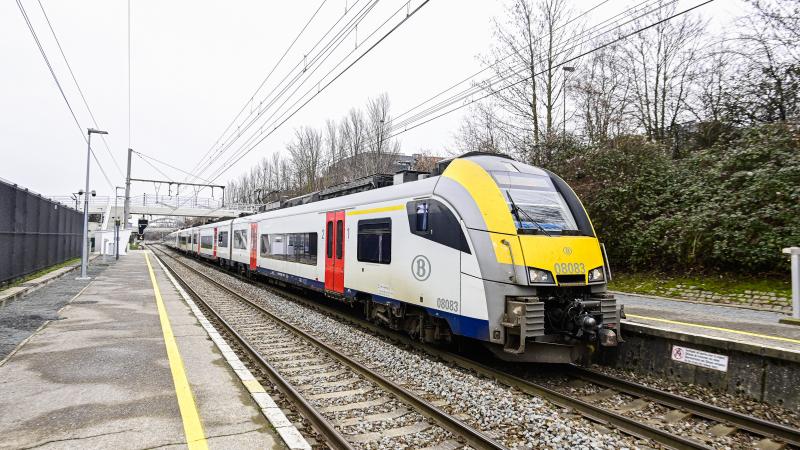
<point x="736" y="350"/>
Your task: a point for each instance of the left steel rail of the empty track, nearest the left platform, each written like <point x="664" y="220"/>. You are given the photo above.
<point x="318" y="422"/>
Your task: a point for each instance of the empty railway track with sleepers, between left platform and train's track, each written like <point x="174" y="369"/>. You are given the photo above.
<point x="347" y="403"/>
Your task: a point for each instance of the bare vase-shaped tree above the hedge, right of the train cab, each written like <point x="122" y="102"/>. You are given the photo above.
<point x="661" y="64"/>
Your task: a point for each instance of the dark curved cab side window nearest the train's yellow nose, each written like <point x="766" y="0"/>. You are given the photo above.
<point x="433" y="220"/>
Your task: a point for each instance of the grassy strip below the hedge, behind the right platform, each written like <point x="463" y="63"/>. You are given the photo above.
<point x="646" y="283"/>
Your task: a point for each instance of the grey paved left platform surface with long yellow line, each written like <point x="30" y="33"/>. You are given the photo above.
<point x="125" y="365"/>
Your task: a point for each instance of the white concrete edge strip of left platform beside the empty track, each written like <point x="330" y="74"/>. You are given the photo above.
<point x="289" y="433"/>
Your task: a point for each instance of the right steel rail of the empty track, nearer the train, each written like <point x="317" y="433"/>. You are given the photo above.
<point x="472" y="436"/>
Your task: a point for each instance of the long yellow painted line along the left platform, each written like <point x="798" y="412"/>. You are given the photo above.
<point x="192" y="427"/>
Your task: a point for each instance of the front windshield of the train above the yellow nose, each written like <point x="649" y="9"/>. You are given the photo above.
<point x="536" y="206"/>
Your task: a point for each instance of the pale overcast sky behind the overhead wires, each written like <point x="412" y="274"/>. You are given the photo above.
<point x="195" y="63"/>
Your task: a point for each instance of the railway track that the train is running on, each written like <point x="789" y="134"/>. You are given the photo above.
<point x="623" y="417"/>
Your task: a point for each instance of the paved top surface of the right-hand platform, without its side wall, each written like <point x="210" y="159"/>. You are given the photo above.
<point x="735" y="324"/>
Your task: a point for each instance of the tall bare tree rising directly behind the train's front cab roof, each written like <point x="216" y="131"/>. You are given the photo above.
<point x="525" y="114"/>
